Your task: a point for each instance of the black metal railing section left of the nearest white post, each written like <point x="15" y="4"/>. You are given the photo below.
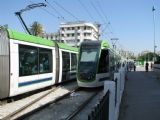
<point x="101" y="111"/>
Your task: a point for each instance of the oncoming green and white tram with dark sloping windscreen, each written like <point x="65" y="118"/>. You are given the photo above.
<point x="96" y="63"/>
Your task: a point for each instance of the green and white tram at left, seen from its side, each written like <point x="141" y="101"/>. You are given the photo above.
<point x="28" y="63"/>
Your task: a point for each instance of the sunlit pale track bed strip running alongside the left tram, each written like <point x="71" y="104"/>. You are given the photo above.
<point x="21" y="111"/>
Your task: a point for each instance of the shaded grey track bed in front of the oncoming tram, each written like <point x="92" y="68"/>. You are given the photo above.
<point x="66" y="107"/>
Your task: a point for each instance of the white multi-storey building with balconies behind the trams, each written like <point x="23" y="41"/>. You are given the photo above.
<point x="73" y="33"/>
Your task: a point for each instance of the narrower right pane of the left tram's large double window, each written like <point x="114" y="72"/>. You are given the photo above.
<point x="45" y="60"/>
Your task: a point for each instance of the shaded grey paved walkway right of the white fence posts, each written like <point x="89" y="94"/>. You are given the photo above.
<point x="141" y="99"/>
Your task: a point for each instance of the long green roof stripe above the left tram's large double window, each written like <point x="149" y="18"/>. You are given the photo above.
<point x="29" y="38"/>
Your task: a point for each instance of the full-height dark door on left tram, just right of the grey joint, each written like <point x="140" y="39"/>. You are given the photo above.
<point x="65" y="65"/>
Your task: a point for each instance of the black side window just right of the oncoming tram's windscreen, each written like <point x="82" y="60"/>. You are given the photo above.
<point x="103" y="62"/>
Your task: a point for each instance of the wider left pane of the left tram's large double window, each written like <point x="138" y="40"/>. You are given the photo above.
<point x="28" y="60"/>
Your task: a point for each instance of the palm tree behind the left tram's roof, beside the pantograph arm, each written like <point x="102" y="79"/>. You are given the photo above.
<point x="36" y="29"/>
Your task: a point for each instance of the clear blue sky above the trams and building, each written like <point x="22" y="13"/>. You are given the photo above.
<point x="130" y="21"/>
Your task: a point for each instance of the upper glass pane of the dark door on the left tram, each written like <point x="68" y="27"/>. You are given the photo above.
<point x="66" y="61"/>
